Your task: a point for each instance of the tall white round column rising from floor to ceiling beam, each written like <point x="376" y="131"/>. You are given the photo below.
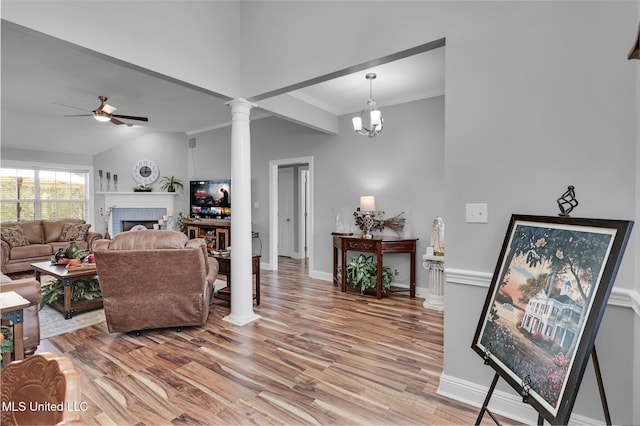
<point x="241" y="242"/>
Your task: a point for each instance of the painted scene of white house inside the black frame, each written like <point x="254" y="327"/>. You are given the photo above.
<point x="541" y="298"/>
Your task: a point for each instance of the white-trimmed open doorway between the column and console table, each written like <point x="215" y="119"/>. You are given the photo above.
<point x="303" y="164"/>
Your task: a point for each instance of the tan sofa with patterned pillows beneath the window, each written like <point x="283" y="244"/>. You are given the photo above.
<point x="24" y="243"/>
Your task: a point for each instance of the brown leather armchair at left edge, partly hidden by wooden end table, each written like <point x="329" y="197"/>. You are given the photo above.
<point x="30" y="289"/>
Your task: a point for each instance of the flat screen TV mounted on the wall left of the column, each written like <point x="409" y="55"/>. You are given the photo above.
<point x="211" y="198"/>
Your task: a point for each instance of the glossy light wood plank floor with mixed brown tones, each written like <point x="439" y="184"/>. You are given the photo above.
<point x="317" y="356"/>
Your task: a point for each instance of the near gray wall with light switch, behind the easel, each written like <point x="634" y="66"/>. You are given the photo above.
<point x="518" y="132"/>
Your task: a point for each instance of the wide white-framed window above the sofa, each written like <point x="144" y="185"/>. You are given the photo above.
<point x="33" y="194"/>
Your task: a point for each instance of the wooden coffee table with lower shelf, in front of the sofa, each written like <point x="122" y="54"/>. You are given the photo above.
<point x="68" y="277"/>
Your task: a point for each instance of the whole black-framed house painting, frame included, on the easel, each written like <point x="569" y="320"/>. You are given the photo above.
<point x="545" y="303"/>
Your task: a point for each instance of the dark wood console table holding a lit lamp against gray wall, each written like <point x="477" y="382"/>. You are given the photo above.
<point x="378" y="245"/>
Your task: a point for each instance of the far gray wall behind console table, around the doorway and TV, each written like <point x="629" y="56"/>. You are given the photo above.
<point x="403" y="168"/>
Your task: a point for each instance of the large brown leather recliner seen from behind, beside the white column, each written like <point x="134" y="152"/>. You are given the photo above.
<point x="154" y="279"/>
